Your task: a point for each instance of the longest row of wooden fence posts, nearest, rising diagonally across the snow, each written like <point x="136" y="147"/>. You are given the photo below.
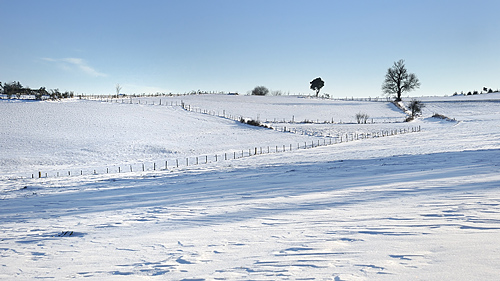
<point x="176" y="163"/>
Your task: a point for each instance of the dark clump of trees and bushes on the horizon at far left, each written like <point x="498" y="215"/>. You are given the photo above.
<point x="16" y="90"/>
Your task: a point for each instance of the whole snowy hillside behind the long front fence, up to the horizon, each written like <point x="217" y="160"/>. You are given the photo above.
<point x="58" y="137"/>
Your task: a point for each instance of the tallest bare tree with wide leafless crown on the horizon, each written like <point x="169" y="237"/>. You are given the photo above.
<point x="398" y="80"/>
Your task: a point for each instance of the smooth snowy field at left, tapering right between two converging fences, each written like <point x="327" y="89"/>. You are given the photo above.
<point x="75" y="134"/>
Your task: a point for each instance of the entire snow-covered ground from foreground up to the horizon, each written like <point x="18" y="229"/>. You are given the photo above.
<point x="417" y="206"/>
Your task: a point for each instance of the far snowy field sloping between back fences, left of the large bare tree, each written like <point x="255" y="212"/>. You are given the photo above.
<point x="287" y="108"/>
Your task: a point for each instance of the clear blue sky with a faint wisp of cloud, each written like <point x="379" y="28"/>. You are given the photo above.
<point x="228" y="45"/>
